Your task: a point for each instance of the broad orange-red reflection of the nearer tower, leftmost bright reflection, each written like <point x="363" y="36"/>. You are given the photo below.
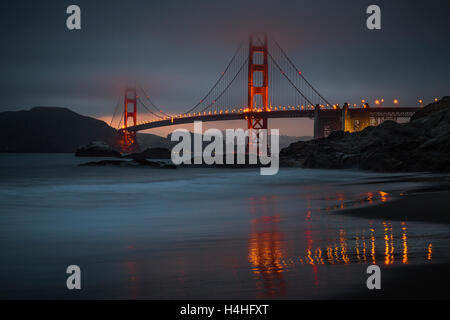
<point x="266" y="248"/>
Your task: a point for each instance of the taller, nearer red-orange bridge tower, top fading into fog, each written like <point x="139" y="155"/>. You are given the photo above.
<point x="262" y="89"/>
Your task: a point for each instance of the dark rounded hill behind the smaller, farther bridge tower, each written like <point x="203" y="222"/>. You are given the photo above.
<point x="54" y="129"/>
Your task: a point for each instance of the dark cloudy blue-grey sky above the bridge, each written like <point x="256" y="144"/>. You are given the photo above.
<point x="177" y="49"/>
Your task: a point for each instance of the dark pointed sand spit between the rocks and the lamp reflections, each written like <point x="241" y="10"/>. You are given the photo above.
<point x="425" y="207"/>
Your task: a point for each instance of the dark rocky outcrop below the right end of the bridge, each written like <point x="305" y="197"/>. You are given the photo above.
<point x="423" y="144"/>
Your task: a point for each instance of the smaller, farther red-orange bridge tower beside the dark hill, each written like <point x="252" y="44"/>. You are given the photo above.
<point x="127" y="140"/>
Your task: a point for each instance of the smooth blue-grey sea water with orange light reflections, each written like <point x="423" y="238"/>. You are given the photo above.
<point x="143" y="233"/>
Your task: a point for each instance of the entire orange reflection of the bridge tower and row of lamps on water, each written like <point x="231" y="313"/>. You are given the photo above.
<point x="272" y="255"/>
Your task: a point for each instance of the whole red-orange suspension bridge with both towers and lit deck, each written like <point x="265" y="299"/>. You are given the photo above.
<point x="259" y="82"/>
